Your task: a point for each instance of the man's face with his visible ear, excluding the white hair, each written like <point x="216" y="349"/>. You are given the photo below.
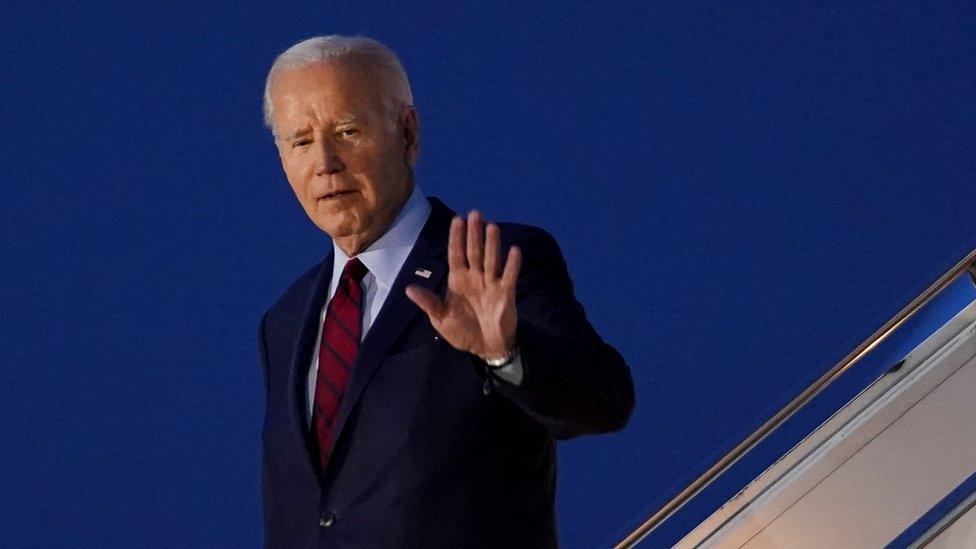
<point x="347" y="158"/>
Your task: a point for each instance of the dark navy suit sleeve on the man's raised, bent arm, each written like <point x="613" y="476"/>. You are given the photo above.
<point x="573" y="382"/>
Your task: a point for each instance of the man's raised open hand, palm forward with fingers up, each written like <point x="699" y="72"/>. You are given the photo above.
<point x="478" y="313"/>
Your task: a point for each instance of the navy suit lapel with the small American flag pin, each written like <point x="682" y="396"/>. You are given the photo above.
<point x="428" y="254"/>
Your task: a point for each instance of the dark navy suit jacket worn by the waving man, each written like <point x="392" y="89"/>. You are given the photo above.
<point x="424" y="457"/>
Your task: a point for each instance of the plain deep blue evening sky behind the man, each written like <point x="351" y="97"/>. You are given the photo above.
<point x="743" y="194"/>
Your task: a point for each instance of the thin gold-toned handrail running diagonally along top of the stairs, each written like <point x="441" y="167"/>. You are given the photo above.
<point x="794" y="405"/>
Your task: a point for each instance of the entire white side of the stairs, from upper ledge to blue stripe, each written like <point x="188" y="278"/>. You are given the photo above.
<point x="874" y="467"/>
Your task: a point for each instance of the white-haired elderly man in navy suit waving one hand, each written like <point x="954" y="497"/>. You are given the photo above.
<point x="418" y="377"/>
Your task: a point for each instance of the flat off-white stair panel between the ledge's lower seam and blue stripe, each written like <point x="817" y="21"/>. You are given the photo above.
<point x="893" y="480"/>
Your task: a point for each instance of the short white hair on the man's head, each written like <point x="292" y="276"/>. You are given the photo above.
<point x="395" y="87"/>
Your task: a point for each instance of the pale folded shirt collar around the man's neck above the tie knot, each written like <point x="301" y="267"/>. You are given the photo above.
<point x="386" y="256"/>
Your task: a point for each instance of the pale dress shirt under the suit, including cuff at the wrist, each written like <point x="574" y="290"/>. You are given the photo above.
<point x="384" y="258"/>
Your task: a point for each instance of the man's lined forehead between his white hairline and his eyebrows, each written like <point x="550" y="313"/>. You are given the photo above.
<point x="325" y="91"/>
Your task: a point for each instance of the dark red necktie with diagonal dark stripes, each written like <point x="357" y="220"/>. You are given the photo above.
<point x="337" y="353"/>
